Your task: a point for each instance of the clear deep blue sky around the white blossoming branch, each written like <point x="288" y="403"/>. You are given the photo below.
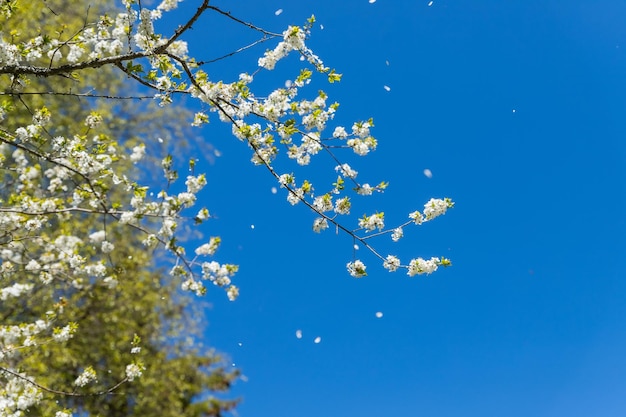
<point x="519" y="110"/>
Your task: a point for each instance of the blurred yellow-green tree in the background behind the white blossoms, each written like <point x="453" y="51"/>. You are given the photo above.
<point x="180" y="374"/>
